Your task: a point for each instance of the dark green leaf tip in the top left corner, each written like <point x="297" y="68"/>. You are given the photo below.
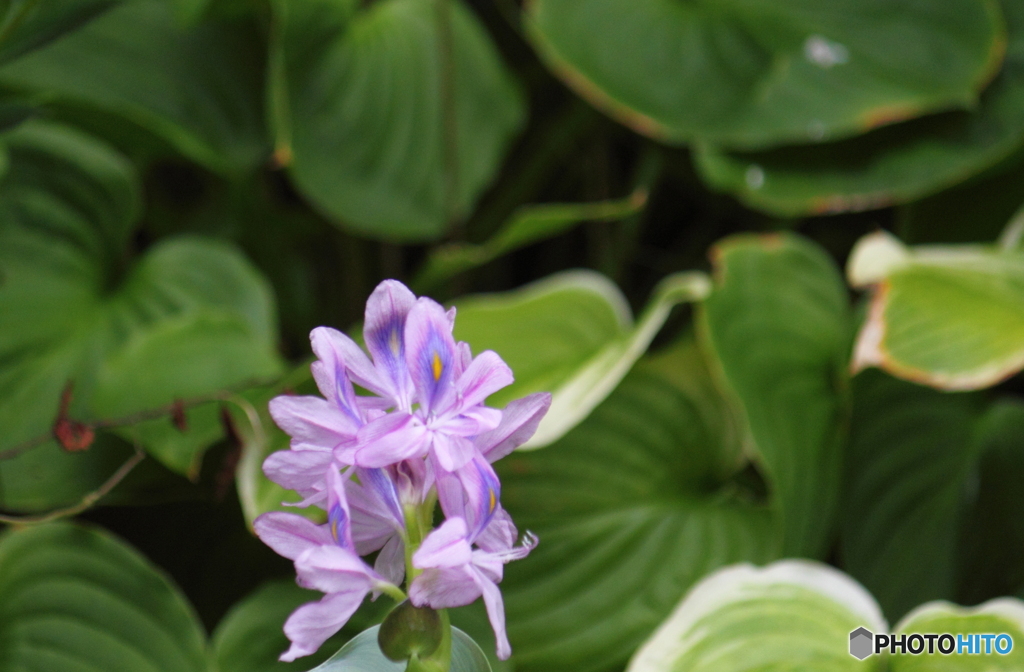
<point x="26" y="25"/>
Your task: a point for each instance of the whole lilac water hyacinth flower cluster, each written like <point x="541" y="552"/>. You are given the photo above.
<point x="379" y="464"/>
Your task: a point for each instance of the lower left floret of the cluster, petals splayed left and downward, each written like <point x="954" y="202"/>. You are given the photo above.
<point x="326" y="560"/>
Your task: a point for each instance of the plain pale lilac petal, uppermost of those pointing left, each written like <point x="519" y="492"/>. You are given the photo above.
<point x="313" y="423"/>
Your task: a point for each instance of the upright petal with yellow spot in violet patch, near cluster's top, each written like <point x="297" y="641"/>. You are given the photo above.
<point x="431" y="355"/>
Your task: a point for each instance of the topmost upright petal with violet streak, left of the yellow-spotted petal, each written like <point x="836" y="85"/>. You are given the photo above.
<point x="385" y="333"/>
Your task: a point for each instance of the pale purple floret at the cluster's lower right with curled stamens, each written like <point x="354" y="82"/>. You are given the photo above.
<point x="455" y="574"/>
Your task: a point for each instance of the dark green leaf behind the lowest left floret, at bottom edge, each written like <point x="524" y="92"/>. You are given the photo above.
<point x="250" y="638"/>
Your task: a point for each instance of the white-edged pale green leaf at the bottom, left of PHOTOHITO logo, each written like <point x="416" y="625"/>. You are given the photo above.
<point x="792" y="615"/>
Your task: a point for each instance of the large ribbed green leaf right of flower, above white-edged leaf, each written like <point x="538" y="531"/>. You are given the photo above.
<point x="631" y="511"/>
